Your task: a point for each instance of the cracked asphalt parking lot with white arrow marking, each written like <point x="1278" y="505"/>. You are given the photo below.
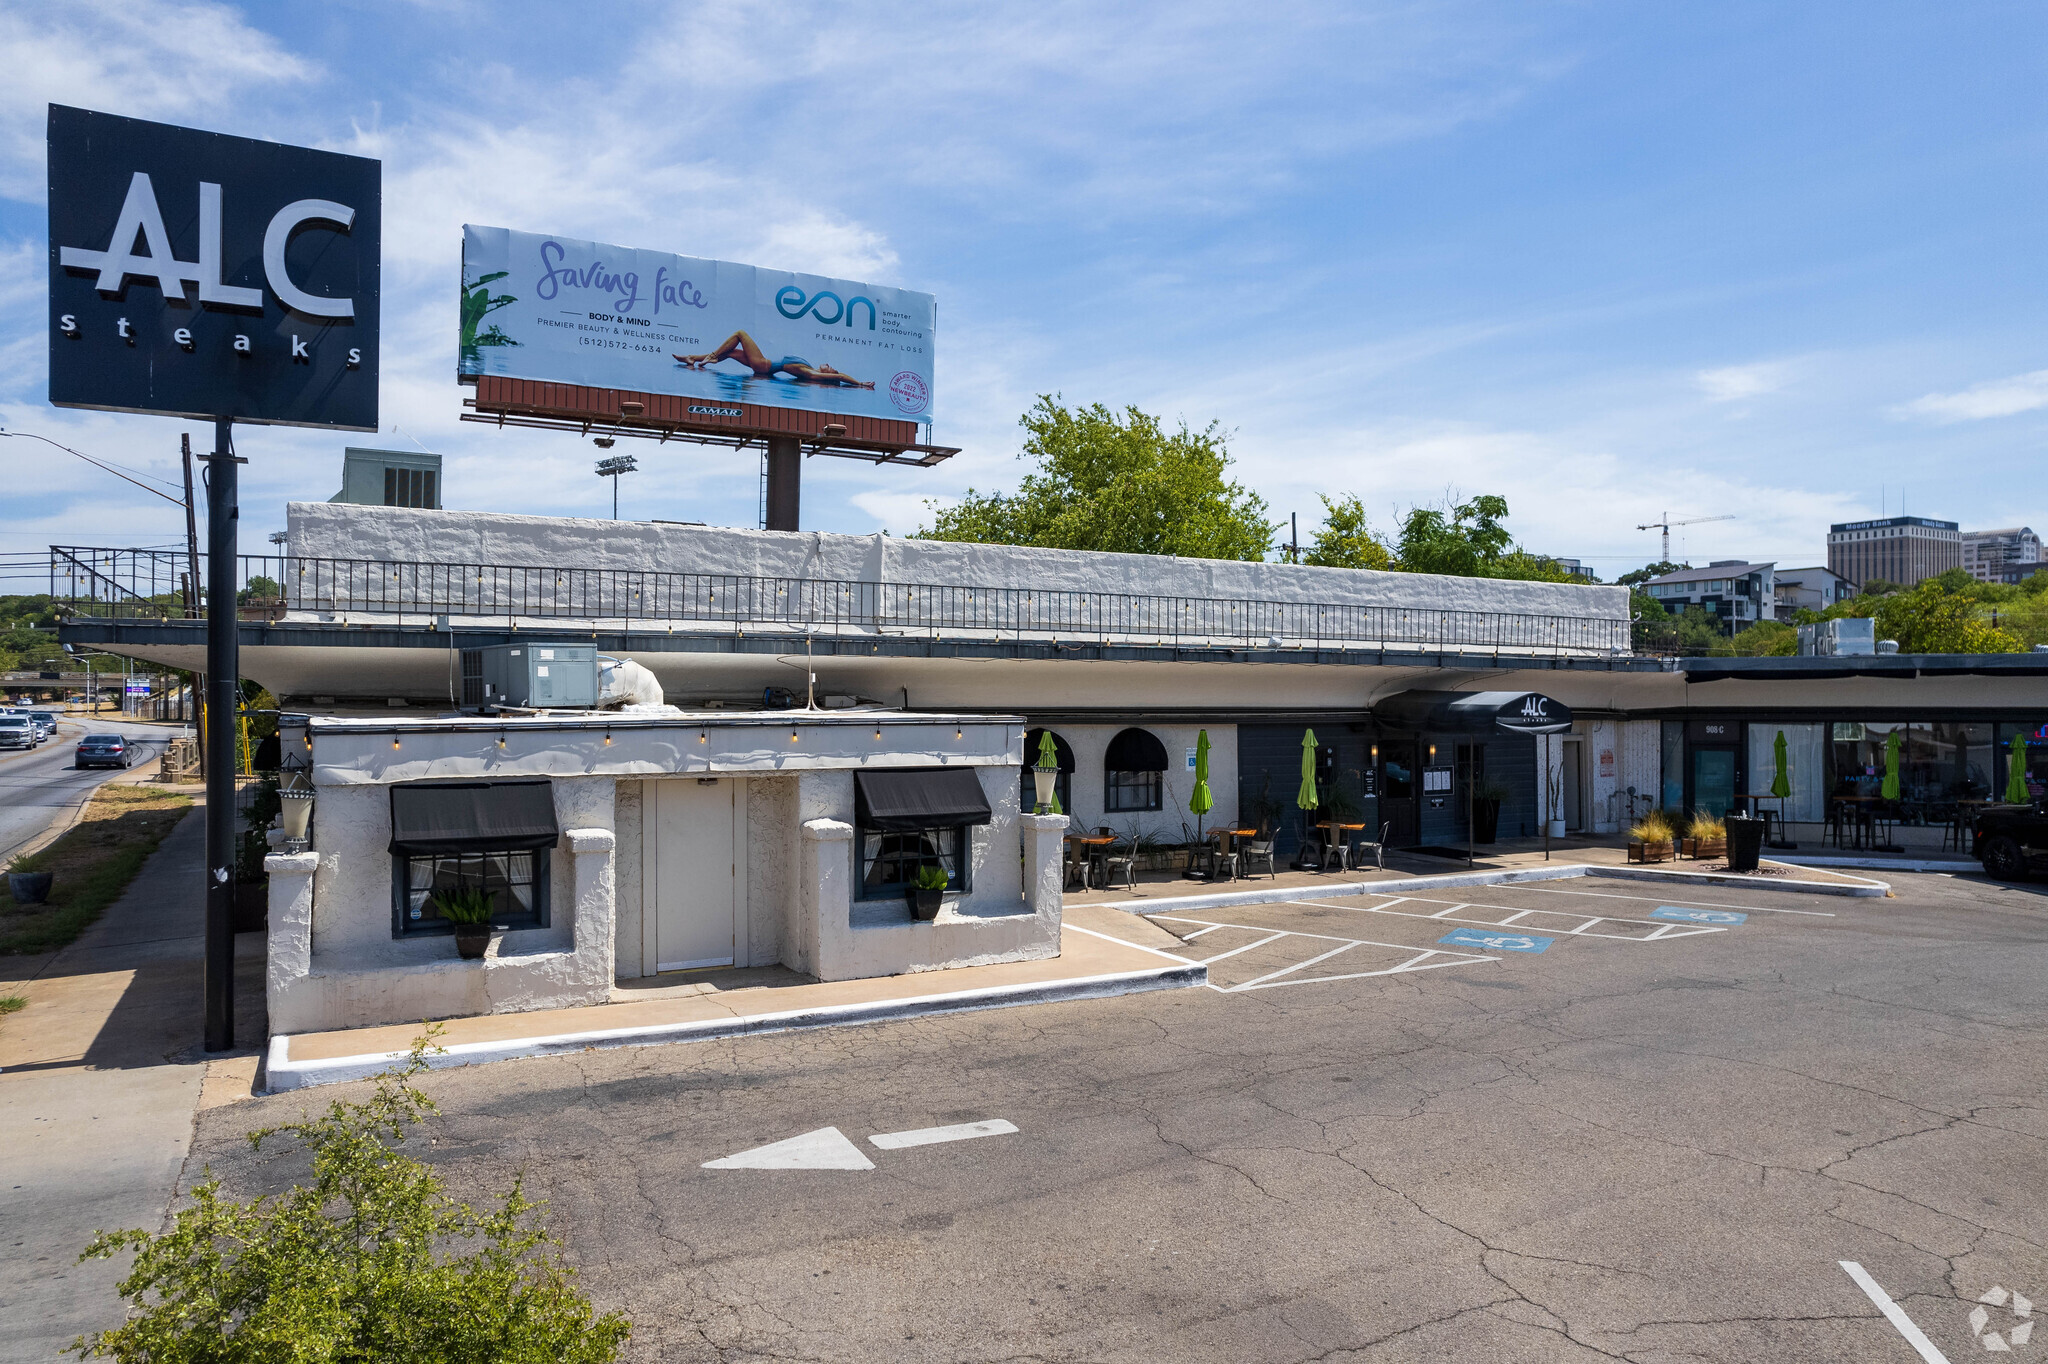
<point x="1652" y="1138"/>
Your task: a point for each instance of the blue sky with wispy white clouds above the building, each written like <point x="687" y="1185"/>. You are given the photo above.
<point x="1605" y="259"/>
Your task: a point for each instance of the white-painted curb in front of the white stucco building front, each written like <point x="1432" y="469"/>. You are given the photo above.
<point x="286" y="1074"/>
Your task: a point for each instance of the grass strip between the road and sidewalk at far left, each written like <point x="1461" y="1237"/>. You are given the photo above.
<point x="91" y="865"/>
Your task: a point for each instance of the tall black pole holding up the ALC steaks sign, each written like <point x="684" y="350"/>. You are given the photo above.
<point x="222" y="704"/>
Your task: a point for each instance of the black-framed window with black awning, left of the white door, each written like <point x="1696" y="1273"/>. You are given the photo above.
<point x="464" y="839"/>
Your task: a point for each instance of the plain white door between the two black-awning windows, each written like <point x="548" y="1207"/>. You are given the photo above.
<point x="691" y="873"/>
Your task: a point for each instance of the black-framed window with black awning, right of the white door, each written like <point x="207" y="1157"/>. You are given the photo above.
<point x="908" y="820"/>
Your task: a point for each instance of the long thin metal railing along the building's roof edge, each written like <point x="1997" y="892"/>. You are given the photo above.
<point x="151" y="585"/>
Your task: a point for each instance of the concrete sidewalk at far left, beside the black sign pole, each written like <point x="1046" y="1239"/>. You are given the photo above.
<point x="99" y="1086"/>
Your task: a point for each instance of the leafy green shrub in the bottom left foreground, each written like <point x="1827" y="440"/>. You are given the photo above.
<point x="357" y="1265"/>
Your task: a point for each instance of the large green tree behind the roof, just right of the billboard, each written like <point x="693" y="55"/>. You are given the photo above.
<point x="1115" y="482"/>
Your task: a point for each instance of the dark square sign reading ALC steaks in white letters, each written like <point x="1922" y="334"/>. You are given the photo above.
<point x="200" y="275"/>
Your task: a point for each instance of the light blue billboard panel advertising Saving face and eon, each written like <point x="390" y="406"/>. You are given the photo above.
<point x="611" y="318"/>
